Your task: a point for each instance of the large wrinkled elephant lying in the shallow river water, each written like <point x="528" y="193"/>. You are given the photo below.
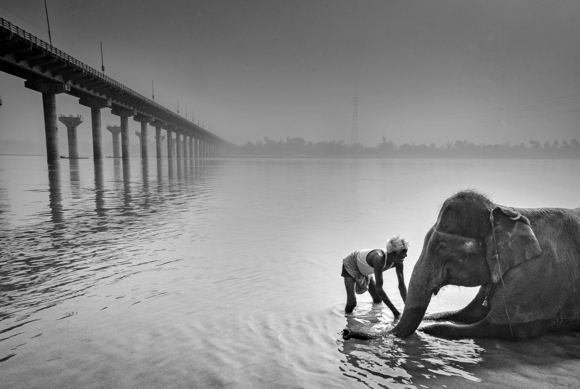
<point x="527" y="262"/>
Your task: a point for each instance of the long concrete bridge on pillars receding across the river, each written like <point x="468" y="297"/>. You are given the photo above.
<point x="49" y="71"/>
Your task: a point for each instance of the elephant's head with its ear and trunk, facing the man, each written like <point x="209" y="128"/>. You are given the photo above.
<point x="473" y="242"/>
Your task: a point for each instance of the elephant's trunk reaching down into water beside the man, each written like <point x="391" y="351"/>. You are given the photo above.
<point x="418" y="298"/>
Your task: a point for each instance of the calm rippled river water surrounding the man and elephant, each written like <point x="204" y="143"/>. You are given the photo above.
<point x="226" y="273"/>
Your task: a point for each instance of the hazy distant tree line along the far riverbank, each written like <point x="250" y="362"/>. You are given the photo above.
<point x="298" y="147"/>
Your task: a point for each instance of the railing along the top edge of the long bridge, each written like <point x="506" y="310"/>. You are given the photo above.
<point x="39" y="43"/>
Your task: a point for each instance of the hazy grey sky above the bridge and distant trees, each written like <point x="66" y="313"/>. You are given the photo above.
<point x="424" y="71"/>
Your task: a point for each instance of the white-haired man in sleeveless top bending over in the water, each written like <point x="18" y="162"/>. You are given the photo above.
<point x="358" y="268"/>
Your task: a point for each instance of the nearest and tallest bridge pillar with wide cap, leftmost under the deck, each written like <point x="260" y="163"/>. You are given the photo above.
<point x="49" y="91"/>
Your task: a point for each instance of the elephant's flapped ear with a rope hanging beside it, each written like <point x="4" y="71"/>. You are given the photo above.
<point x="515" y="241"/>
